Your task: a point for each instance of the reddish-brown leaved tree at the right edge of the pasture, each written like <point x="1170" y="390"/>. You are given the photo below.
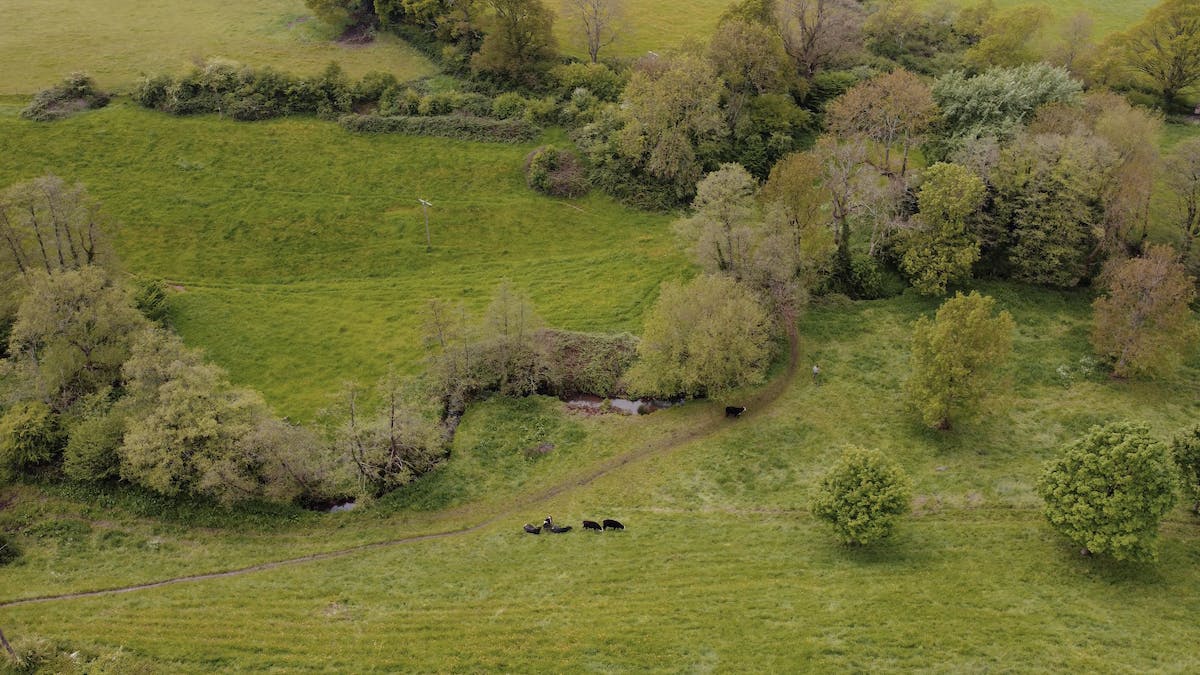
<point x="1144" y="322"/>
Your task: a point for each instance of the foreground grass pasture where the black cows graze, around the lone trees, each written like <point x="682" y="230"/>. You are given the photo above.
<point x="722" y="568"/>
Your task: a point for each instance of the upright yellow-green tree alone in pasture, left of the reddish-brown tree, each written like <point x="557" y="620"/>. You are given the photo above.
<point x="956" y="357"/>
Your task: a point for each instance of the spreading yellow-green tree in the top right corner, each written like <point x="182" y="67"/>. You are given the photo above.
<point x="1165" y="49"/>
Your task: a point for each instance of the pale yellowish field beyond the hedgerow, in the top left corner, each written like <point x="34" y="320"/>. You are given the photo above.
<point x="117" y="40"/>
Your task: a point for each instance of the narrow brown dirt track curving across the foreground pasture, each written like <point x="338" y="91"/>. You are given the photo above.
<point x="662" y="447"/>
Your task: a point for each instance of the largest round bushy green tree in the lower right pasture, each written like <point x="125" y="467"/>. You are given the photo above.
<point x="1109" y="491"/>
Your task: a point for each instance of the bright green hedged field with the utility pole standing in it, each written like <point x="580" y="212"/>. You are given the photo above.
<point x="298" y="250"/>
